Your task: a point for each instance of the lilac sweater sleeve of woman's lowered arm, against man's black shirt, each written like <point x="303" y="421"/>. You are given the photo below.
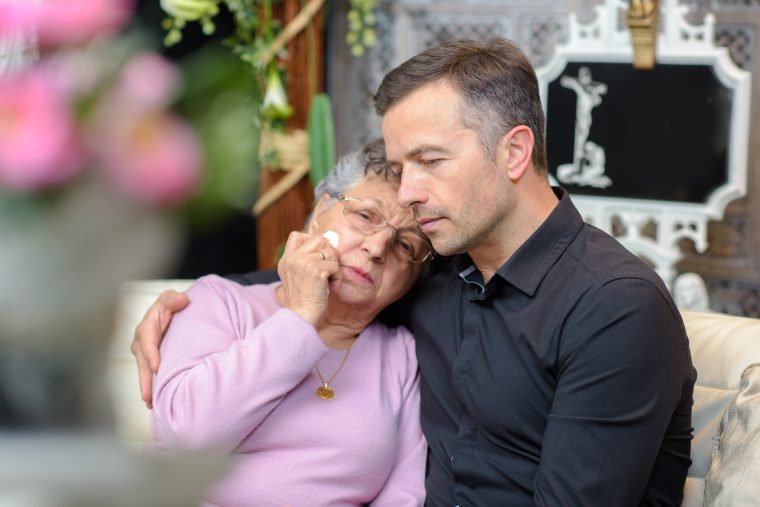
<point x="405" y="486"/>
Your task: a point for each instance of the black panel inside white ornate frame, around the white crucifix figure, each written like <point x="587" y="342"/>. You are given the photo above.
<point x="665" y="132"/>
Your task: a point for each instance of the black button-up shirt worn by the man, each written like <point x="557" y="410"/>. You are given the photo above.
<point x="564" y="380"/>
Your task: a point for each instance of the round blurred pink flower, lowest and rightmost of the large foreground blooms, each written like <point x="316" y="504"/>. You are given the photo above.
<point x="154" y="157"/>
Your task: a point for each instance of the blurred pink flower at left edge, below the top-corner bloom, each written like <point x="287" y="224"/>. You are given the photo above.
<point x="38" y="142"/>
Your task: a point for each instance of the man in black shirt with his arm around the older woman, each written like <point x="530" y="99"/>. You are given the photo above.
<point x="555" y="366"/>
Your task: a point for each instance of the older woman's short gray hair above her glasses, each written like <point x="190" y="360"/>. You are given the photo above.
<point x="352" y="168"/>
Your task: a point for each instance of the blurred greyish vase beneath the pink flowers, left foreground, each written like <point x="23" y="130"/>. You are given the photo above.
<point x="61" y="265"/>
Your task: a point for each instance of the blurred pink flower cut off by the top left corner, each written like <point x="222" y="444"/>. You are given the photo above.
<point x="59" y="22"/>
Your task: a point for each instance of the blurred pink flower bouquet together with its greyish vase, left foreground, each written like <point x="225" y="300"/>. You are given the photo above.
<point x="91" y="156"/>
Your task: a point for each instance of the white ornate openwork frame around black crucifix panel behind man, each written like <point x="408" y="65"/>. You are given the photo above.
<point x="607" y="39"/>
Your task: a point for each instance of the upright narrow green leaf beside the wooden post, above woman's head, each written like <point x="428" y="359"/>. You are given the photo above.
<point x="321" y="138"/>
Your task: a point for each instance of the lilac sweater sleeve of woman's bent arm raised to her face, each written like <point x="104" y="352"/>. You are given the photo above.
<point x="222" y="372"/>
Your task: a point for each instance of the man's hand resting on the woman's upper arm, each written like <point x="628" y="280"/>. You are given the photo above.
<point x="148" y="336"/>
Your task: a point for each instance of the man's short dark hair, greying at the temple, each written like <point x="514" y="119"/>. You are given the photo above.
<point x="495" y="79"/>
